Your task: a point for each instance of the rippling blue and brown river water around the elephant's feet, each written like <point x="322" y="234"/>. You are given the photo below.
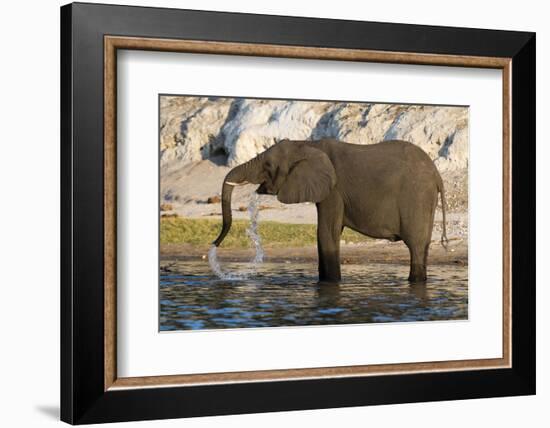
<point x="287" y="294"/>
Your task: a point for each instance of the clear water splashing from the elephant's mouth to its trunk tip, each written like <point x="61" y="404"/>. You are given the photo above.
<point x="252" y="232"/>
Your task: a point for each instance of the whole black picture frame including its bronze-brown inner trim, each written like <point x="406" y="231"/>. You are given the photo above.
<point x="91" y="391"/>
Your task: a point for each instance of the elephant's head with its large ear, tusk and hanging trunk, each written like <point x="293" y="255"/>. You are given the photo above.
<point x="294" y="171"/>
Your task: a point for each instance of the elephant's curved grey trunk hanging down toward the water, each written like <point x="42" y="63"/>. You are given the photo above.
<point x="240" y="175"/>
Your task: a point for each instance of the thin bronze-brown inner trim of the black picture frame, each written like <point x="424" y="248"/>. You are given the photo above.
<point x="113" y="43"/>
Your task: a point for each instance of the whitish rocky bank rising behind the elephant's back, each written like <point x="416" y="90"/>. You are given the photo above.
<point x="195" y="128"/>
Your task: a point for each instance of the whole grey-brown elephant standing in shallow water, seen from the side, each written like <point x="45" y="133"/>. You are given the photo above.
<point x="387" y="190"/>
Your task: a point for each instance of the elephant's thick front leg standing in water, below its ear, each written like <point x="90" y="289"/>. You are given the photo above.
<point x="330" y="213"/>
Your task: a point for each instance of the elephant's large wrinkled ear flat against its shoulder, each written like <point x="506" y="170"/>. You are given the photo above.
<point x="310" y="178"/>
